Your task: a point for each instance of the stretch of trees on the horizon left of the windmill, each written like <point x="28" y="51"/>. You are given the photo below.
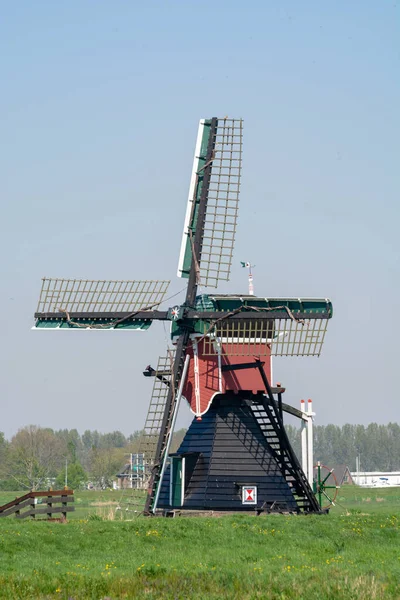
<point x="36" y="455"/>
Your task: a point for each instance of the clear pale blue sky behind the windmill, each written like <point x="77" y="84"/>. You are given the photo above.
<point x="99" y="108"/>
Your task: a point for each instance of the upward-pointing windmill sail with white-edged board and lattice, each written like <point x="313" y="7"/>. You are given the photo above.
<point x="222" y="202"/>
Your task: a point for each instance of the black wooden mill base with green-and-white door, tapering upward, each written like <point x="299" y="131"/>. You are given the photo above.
<point x="240" y="442"/>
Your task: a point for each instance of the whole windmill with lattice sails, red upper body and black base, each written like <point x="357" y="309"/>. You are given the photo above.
<point x="236" y="454"/>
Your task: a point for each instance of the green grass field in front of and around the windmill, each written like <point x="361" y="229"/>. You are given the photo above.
<point x="352" y="553"/>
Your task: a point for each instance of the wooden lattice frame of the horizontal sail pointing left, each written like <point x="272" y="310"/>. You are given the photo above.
<point x="87" y="295"/>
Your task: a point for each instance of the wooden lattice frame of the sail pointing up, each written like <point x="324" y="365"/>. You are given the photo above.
<point x="223" y="203"/>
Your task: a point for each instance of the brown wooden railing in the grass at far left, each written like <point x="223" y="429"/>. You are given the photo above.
<point x="40" y="503"/>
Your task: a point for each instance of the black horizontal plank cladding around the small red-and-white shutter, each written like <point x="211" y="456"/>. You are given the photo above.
<point x="234" y="453"/>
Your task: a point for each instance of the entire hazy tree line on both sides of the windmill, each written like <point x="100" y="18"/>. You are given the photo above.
<point x="36" y="455"/>
